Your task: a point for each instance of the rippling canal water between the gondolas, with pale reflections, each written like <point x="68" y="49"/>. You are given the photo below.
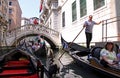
<point x="69" y="69"/>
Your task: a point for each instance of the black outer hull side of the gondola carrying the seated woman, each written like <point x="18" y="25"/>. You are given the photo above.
<point x="86" y="64"/>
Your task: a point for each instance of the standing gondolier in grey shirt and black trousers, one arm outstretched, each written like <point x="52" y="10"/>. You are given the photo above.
<point x="88" y="29"/>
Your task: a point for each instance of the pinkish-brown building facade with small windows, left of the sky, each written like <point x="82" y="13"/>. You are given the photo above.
<point x="15" y="13"/>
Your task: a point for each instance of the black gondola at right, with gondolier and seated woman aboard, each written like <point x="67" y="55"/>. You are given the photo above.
<point x="91" y="59"/>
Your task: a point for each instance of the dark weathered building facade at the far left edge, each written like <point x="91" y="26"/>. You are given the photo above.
<point x="3" y="19"/>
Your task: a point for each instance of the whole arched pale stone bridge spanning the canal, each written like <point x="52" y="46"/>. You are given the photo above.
<point x="14" y="36"/>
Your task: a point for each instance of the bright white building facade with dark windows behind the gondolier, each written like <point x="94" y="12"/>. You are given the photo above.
<point x="68" y="16"/>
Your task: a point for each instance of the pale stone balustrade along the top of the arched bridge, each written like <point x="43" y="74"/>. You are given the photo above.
<point x="31" y="27"/>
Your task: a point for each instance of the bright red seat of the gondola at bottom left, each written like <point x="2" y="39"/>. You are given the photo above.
<point x="18" y="69"/>
